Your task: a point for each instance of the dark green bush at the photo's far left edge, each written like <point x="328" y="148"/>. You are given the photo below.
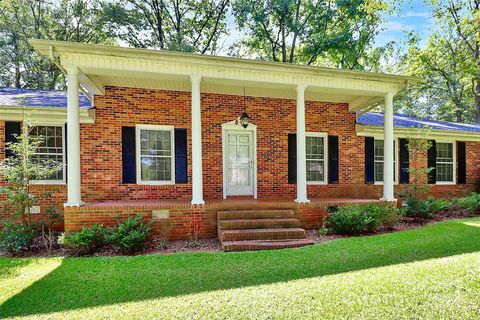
<point x="16" y="237"/>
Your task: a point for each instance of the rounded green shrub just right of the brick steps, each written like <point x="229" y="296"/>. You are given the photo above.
<point x="352" y="219"/>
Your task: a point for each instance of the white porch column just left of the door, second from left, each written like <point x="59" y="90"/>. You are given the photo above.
<point x="197" y="178"/>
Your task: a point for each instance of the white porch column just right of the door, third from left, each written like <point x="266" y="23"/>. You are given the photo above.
<point x="301" y="149"/>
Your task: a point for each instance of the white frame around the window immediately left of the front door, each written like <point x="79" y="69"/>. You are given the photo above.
<point x="140" y="127"/>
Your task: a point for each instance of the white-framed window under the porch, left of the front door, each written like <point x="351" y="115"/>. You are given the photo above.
<point x="155" y="154"/>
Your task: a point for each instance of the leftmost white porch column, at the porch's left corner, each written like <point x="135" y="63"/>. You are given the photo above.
<point x="74" y="194"/>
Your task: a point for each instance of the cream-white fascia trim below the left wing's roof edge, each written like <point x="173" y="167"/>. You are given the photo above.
<point x="45" y="115"/>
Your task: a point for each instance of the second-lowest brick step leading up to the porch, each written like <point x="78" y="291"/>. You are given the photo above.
<point x="262" y="234"/>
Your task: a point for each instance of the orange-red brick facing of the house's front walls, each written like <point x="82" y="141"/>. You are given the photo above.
<point x="101" y="161"/>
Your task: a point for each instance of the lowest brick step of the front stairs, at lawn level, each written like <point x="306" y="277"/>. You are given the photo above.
<point x="249" y="245"/>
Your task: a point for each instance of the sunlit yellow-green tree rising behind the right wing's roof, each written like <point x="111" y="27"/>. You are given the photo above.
<point x="445" y="69"/>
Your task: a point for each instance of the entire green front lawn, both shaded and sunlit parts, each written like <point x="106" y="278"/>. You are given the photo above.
<point x="432" y="272"/>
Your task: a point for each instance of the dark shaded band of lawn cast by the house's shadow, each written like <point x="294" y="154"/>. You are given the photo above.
<point x="89" y="282"/>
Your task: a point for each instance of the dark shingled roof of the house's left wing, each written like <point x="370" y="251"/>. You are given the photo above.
<point x="38" y="98"/>
